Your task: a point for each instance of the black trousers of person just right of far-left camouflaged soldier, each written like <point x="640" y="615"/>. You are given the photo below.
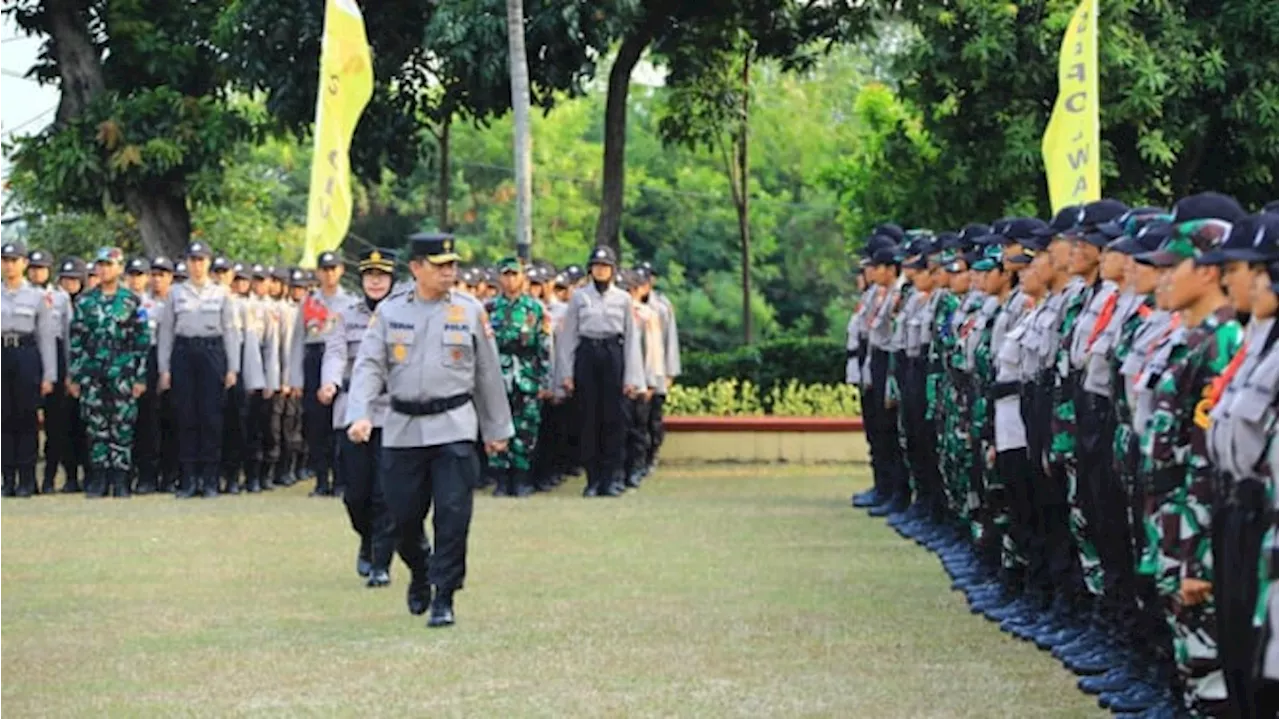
<point x="199" y="372"/>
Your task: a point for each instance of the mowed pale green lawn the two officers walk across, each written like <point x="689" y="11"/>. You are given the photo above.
<point x="714" y="592"/>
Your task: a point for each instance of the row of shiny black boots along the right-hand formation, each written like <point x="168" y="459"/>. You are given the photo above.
<point x="1121" y="656"/>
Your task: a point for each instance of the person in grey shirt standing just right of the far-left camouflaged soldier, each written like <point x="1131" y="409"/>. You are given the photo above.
<point x="199" y="356"/>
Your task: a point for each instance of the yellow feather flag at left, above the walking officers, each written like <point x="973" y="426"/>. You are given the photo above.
<point x="346" y="86"/>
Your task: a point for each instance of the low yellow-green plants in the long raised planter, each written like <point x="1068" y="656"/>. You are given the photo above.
<point x="742" y="399"/>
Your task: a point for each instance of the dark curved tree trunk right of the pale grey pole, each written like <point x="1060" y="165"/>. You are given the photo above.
<point x="616" y="139"/>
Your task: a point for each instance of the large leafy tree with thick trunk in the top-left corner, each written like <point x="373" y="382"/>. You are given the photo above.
<point x="144" y="111"/>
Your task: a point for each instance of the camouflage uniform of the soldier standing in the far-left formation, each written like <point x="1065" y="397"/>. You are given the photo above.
<point x="109" y="344"/>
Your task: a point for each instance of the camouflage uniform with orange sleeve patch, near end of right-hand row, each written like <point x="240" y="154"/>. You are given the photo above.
<point x="1181" y="486"/>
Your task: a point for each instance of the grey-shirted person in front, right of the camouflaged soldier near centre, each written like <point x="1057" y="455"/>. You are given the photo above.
<point x="600" y="359"/>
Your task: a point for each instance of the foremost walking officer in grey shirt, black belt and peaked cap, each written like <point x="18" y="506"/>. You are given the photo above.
<point x="435" y="352"/>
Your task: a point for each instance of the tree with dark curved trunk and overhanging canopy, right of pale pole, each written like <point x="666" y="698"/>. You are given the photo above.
<point x="682" y="34"/>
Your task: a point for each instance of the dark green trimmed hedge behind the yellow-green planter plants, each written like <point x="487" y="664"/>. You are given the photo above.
<point x="769" y="365"/>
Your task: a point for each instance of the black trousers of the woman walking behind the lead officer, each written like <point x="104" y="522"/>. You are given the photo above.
<point x="367" y="507"/>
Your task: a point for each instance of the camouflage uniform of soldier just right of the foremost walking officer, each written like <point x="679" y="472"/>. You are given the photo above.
<point x="523" y="332"/>
